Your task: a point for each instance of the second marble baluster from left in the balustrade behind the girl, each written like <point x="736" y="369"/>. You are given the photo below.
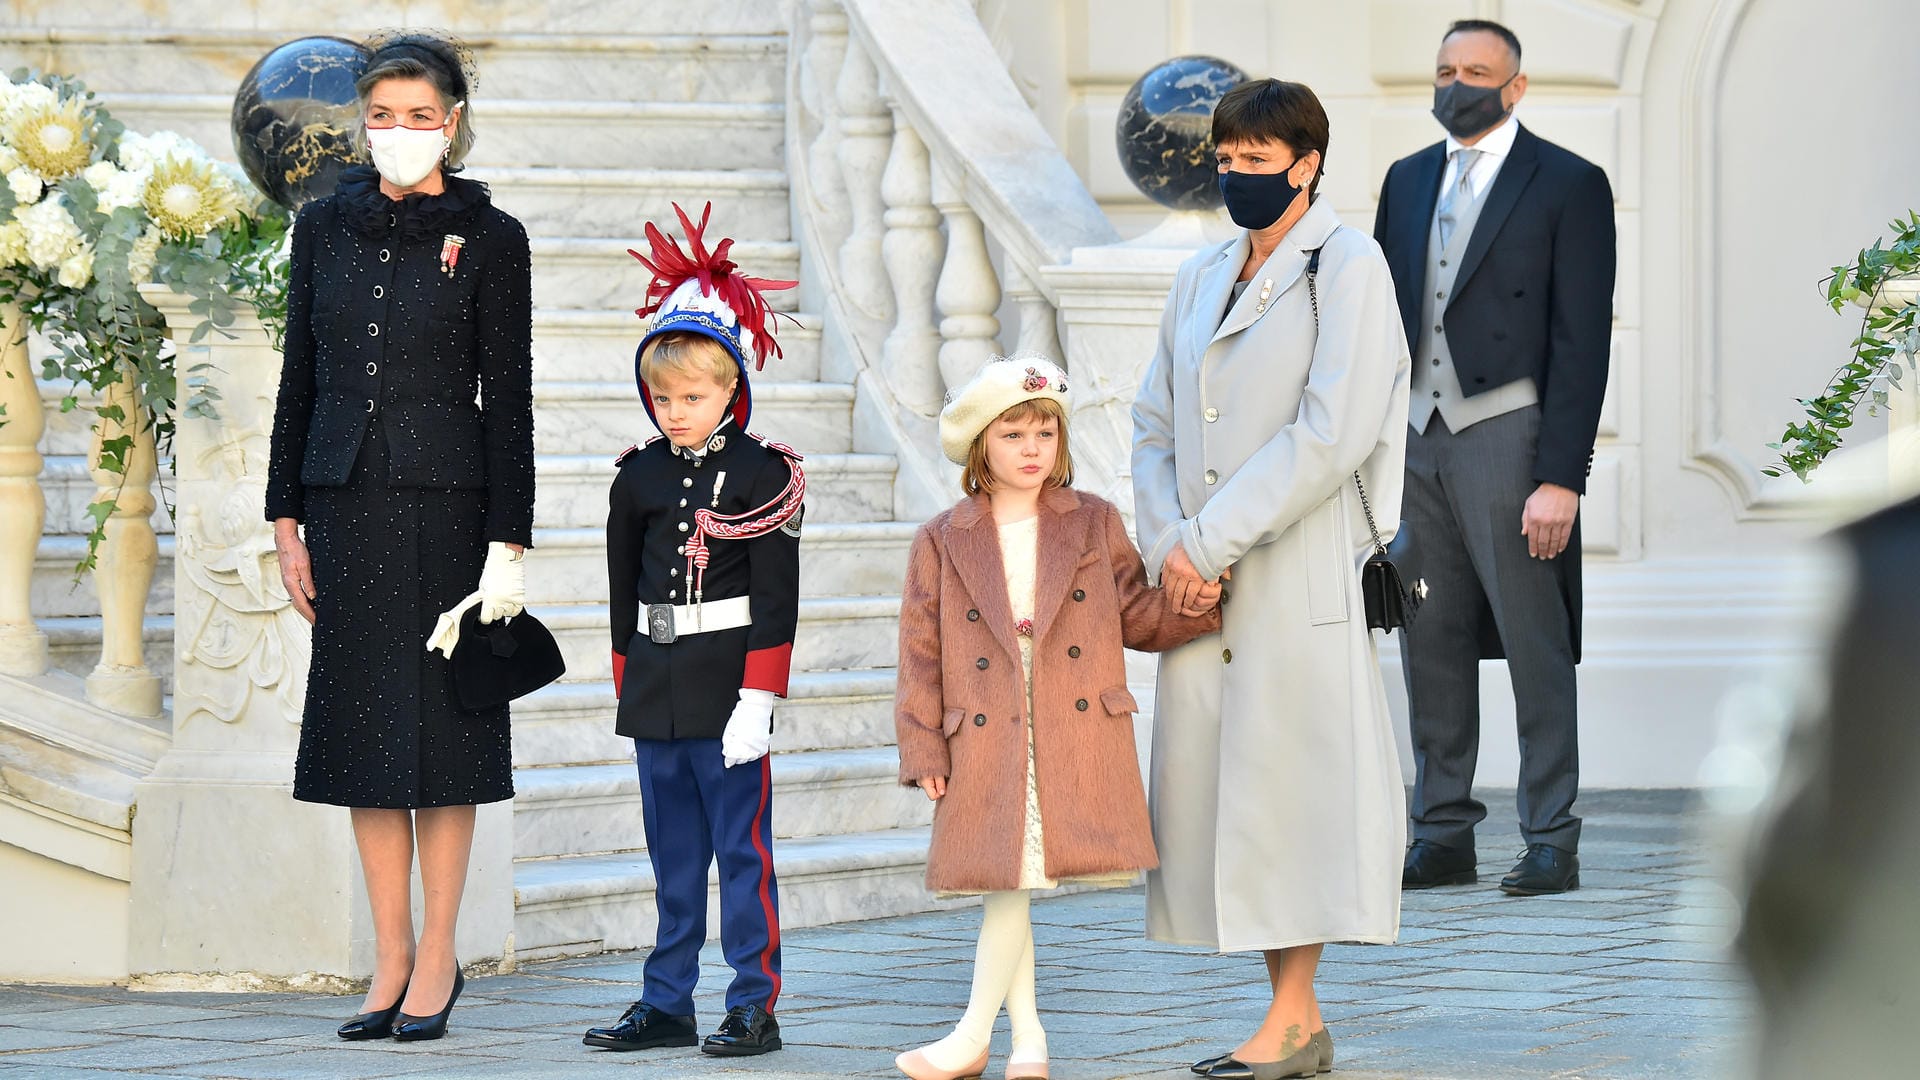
<point x="863" y="157"/>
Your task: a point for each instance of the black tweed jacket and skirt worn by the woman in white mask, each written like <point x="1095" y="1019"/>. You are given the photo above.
<point x="400" y="478"/>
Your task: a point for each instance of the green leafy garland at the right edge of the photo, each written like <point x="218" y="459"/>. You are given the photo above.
<point x="1888" y="337"/>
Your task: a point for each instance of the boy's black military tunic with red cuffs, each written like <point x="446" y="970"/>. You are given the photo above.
<point x="688" y="689"/>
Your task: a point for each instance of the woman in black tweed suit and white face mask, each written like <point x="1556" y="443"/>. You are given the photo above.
<point x="410" y="297"/>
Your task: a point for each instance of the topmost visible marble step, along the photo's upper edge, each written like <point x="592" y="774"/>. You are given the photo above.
<point x="529" y="16"/>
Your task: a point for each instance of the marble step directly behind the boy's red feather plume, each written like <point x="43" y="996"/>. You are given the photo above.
<point x="594" y="272"/>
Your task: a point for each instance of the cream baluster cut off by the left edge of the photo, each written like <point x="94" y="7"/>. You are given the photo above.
<point x="22" y="503"/>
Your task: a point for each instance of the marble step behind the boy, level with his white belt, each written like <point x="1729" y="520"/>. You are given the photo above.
<point x="836" y="633"/>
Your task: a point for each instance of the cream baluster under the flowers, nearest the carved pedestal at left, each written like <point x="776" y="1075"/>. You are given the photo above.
<point x="124" y="576"/>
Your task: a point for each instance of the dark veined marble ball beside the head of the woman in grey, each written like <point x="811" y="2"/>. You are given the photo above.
<point x="1166" y="132"/>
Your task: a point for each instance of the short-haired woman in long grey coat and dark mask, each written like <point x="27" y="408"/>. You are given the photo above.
<point x="1276" y="783"/>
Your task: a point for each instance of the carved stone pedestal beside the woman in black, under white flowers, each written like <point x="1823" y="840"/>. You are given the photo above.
<point x="235" y="885"/>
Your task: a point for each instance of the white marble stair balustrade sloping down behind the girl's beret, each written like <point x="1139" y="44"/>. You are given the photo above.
<point x="930" y="203"/>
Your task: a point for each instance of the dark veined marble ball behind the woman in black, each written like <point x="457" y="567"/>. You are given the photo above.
<point x="295" y="118"/>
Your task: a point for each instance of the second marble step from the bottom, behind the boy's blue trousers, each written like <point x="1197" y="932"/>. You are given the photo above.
<point x="596" y="810"/>
